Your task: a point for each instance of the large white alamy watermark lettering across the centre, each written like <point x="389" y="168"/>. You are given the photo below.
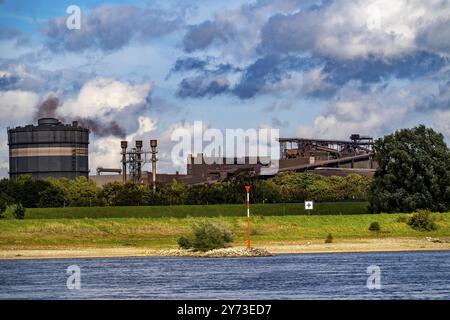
<point x="236" y="146"/>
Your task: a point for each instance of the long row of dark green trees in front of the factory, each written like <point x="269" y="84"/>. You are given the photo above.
<point x="81" y="192"/>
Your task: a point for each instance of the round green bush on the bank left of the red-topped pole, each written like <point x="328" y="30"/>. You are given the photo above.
<point x="211" y="235"/>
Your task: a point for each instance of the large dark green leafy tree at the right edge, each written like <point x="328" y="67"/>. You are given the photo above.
<point x="413" y="173"/>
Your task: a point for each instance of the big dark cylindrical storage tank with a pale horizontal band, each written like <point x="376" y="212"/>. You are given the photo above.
<point x="50" y="149"/>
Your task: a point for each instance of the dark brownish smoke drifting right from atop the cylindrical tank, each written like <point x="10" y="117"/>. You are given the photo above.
<point x="47" y="109"/>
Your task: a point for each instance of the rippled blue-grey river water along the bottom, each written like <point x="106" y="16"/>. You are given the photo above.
<point x="404" y="275"/>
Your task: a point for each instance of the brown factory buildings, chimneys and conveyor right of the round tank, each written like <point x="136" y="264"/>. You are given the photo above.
<point x="325" y="157"/>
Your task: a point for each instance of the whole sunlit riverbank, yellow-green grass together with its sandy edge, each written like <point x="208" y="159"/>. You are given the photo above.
<point x="123" y="237"/>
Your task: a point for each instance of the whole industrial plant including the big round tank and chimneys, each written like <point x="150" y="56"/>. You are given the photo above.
<point x="54" y="149"/>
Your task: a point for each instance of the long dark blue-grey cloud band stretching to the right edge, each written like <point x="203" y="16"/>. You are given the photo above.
<point x="270" y="69"/>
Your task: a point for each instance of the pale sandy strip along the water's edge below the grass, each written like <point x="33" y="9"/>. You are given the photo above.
<point x="353" y="245"/>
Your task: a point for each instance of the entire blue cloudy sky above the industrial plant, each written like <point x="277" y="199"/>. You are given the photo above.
<point x="141" y="69"/>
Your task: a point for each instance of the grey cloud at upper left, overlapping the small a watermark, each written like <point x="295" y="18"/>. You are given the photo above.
<point x="110" y="27"/>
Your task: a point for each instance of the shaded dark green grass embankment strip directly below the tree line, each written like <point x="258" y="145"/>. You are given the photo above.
<point x="229" y="210"/>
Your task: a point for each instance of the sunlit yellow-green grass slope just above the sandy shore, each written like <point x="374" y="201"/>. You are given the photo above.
<point x="163" y="232"/>
